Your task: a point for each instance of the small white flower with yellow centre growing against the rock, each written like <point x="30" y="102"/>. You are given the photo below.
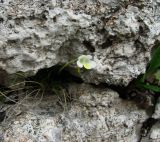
<point x="86" y="62"/>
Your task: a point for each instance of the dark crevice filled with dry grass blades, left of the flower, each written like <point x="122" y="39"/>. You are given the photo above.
<point x="46" y="83"/>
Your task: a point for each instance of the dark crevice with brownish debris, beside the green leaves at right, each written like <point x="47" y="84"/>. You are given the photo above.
<point x="143" y="98"/>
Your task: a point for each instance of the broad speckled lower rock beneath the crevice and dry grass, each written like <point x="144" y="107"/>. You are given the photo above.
<point x="96" y="115"/>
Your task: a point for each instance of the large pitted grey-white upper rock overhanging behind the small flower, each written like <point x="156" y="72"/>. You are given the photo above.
<point x="119" y="34"/>
